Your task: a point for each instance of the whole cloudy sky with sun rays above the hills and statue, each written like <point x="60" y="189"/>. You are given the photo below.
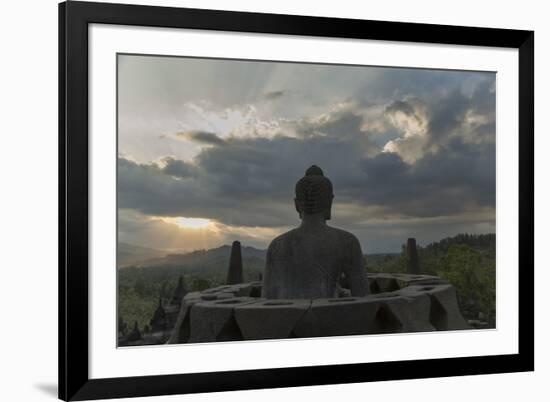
<point x="209" y="150"/>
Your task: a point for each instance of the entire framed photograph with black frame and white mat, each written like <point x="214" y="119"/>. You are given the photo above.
<point x="257" y="200"/>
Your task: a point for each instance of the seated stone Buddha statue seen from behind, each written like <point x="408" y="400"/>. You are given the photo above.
<point x="309" y="261"/>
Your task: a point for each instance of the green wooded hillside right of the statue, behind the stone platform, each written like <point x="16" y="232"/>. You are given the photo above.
<point x="466" y="260"/>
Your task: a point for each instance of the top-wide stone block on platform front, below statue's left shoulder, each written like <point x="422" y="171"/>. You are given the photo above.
<point x="270" y="319"/>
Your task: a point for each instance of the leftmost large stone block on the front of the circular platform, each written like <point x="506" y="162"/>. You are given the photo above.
<point x="214" y="320"/>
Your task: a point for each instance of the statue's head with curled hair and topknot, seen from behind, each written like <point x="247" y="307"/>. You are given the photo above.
<point x="314" y="193"/>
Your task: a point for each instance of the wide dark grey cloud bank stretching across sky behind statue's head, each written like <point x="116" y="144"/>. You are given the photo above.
<point x="249" y="181"/>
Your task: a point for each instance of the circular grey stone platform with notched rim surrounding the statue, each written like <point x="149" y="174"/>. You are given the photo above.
<point x="397" y="303"/>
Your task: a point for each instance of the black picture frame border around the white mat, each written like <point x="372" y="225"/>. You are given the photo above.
<point x="74" y="18"/>
